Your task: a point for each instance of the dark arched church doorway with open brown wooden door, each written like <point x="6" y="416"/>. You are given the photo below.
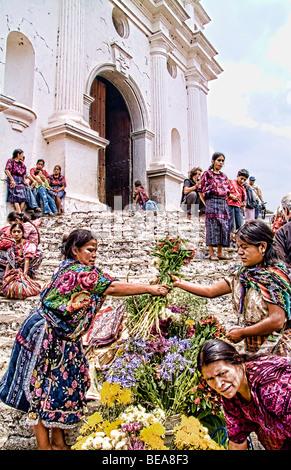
<point x="109" y="116"/>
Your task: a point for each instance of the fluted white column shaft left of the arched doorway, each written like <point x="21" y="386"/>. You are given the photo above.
<point x="69" y="71"/>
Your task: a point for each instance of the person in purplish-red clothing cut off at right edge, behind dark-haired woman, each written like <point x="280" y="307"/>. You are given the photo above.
<point x="283" y="235"/>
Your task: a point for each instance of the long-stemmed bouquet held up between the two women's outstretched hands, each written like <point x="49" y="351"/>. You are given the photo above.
<point x="172" y="254"/>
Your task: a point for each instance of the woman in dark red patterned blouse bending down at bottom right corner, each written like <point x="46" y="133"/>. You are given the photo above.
<point x="256" y="394"/>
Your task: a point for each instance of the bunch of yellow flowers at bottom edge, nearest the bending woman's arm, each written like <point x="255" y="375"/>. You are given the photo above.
<point x="191" y="435"/>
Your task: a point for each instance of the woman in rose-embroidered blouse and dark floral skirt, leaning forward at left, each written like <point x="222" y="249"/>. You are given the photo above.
<point x="54" y="378"/>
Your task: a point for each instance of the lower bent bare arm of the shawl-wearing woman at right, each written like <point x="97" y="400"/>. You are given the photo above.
<point x="273" y="322"/>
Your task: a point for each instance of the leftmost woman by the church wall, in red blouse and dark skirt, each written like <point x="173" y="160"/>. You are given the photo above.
<point x="16" y="171"/>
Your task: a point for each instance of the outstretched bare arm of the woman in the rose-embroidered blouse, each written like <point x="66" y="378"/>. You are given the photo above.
<point x="118" y="288"/>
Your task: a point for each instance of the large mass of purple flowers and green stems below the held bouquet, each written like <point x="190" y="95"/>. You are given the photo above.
<point x="161" y="371"/>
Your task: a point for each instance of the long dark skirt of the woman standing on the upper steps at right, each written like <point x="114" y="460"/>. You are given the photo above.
<point x="217" y="222"/>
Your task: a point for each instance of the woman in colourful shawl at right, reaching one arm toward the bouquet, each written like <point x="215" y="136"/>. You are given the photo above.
<point x="261" y="292"/>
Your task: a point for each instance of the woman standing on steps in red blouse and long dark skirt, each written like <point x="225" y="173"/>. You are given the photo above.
<point x="213" y="191"/>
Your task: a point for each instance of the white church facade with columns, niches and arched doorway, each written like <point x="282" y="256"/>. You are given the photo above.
<point x="111" y="90"/>
